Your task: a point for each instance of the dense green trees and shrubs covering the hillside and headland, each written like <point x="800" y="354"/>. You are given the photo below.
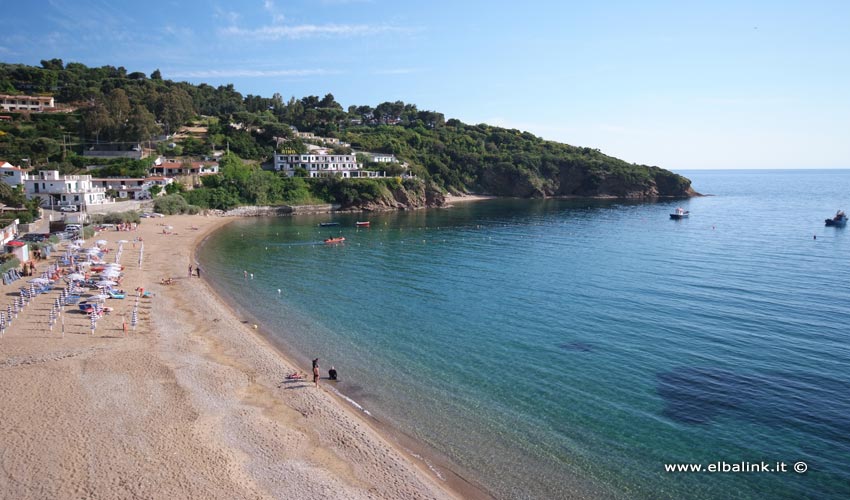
<point x="110" y="105"/>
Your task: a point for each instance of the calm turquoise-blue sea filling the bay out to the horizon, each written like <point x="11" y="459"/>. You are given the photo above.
<point x="563" y="348"/>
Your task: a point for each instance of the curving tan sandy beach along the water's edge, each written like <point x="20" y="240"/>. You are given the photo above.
<point x="189" y="403"/>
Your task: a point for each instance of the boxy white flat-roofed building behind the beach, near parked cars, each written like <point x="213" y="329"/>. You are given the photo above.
<point x="58" y="190"/>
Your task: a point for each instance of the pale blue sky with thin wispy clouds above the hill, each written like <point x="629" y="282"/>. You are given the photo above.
<point x="680" y="85"/>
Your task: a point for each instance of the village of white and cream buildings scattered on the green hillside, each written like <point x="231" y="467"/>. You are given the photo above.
<point x="72" y="199"/>
